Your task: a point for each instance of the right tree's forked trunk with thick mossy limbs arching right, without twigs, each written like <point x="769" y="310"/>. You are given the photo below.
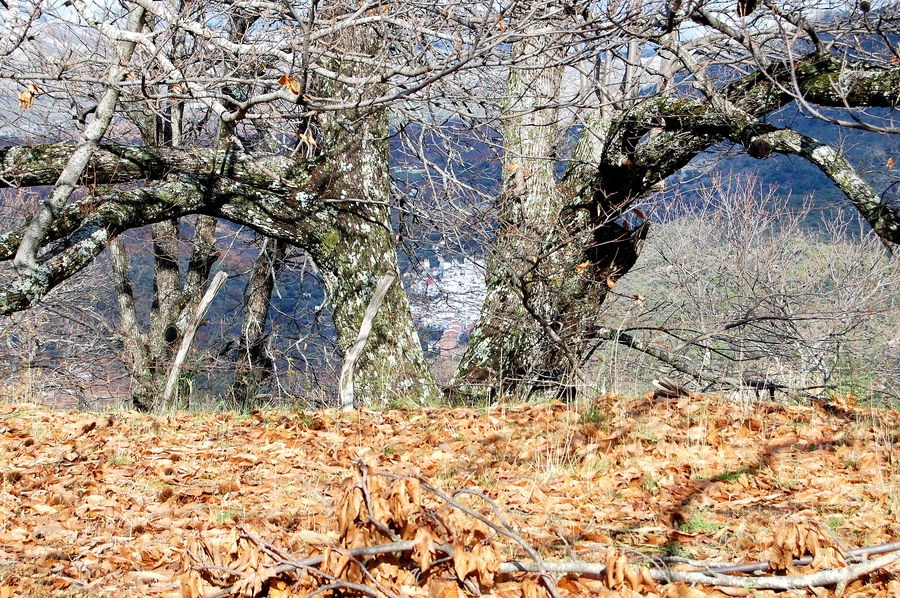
<point x="560" y="248"/>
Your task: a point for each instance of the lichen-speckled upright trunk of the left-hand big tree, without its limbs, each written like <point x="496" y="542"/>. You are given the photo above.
<point x="355" y="248"/>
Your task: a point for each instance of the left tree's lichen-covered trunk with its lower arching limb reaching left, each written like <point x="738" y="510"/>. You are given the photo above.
<point x="343" y="221"/>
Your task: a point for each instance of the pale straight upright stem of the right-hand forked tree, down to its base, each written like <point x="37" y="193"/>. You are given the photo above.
<point x="508" y="348"/>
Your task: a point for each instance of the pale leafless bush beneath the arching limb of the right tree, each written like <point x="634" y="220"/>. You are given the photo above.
<point x="740" y="286"/>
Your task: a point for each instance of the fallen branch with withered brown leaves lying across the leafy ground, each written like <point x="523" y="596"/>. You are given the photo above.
<point x="443" y="541"/>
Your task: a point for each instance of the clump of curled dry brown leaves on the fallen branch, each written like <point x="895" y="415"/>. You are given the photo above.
<point x="425" y="546"/>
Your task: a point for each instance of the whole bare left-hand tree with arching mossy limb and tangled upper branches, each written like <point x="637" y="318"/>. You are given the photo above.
<point x="331" y="76"/>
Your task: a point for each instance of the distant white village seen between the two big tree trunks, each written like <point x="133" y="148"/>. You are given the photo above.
<point x="446" y="298"/>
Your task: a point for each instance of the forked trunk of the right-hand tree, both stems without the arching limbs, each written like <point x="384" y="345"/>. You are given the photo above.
<point x="557" y="249"/>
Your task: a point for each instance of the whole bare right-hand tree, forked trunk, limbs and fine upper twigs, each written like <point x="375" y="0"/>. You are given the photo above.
<point x="667" y="83"/>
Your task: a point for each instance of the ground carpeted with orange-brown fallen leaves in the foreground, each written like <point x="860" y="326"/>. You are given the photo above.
<point x="123" y="504"/>
